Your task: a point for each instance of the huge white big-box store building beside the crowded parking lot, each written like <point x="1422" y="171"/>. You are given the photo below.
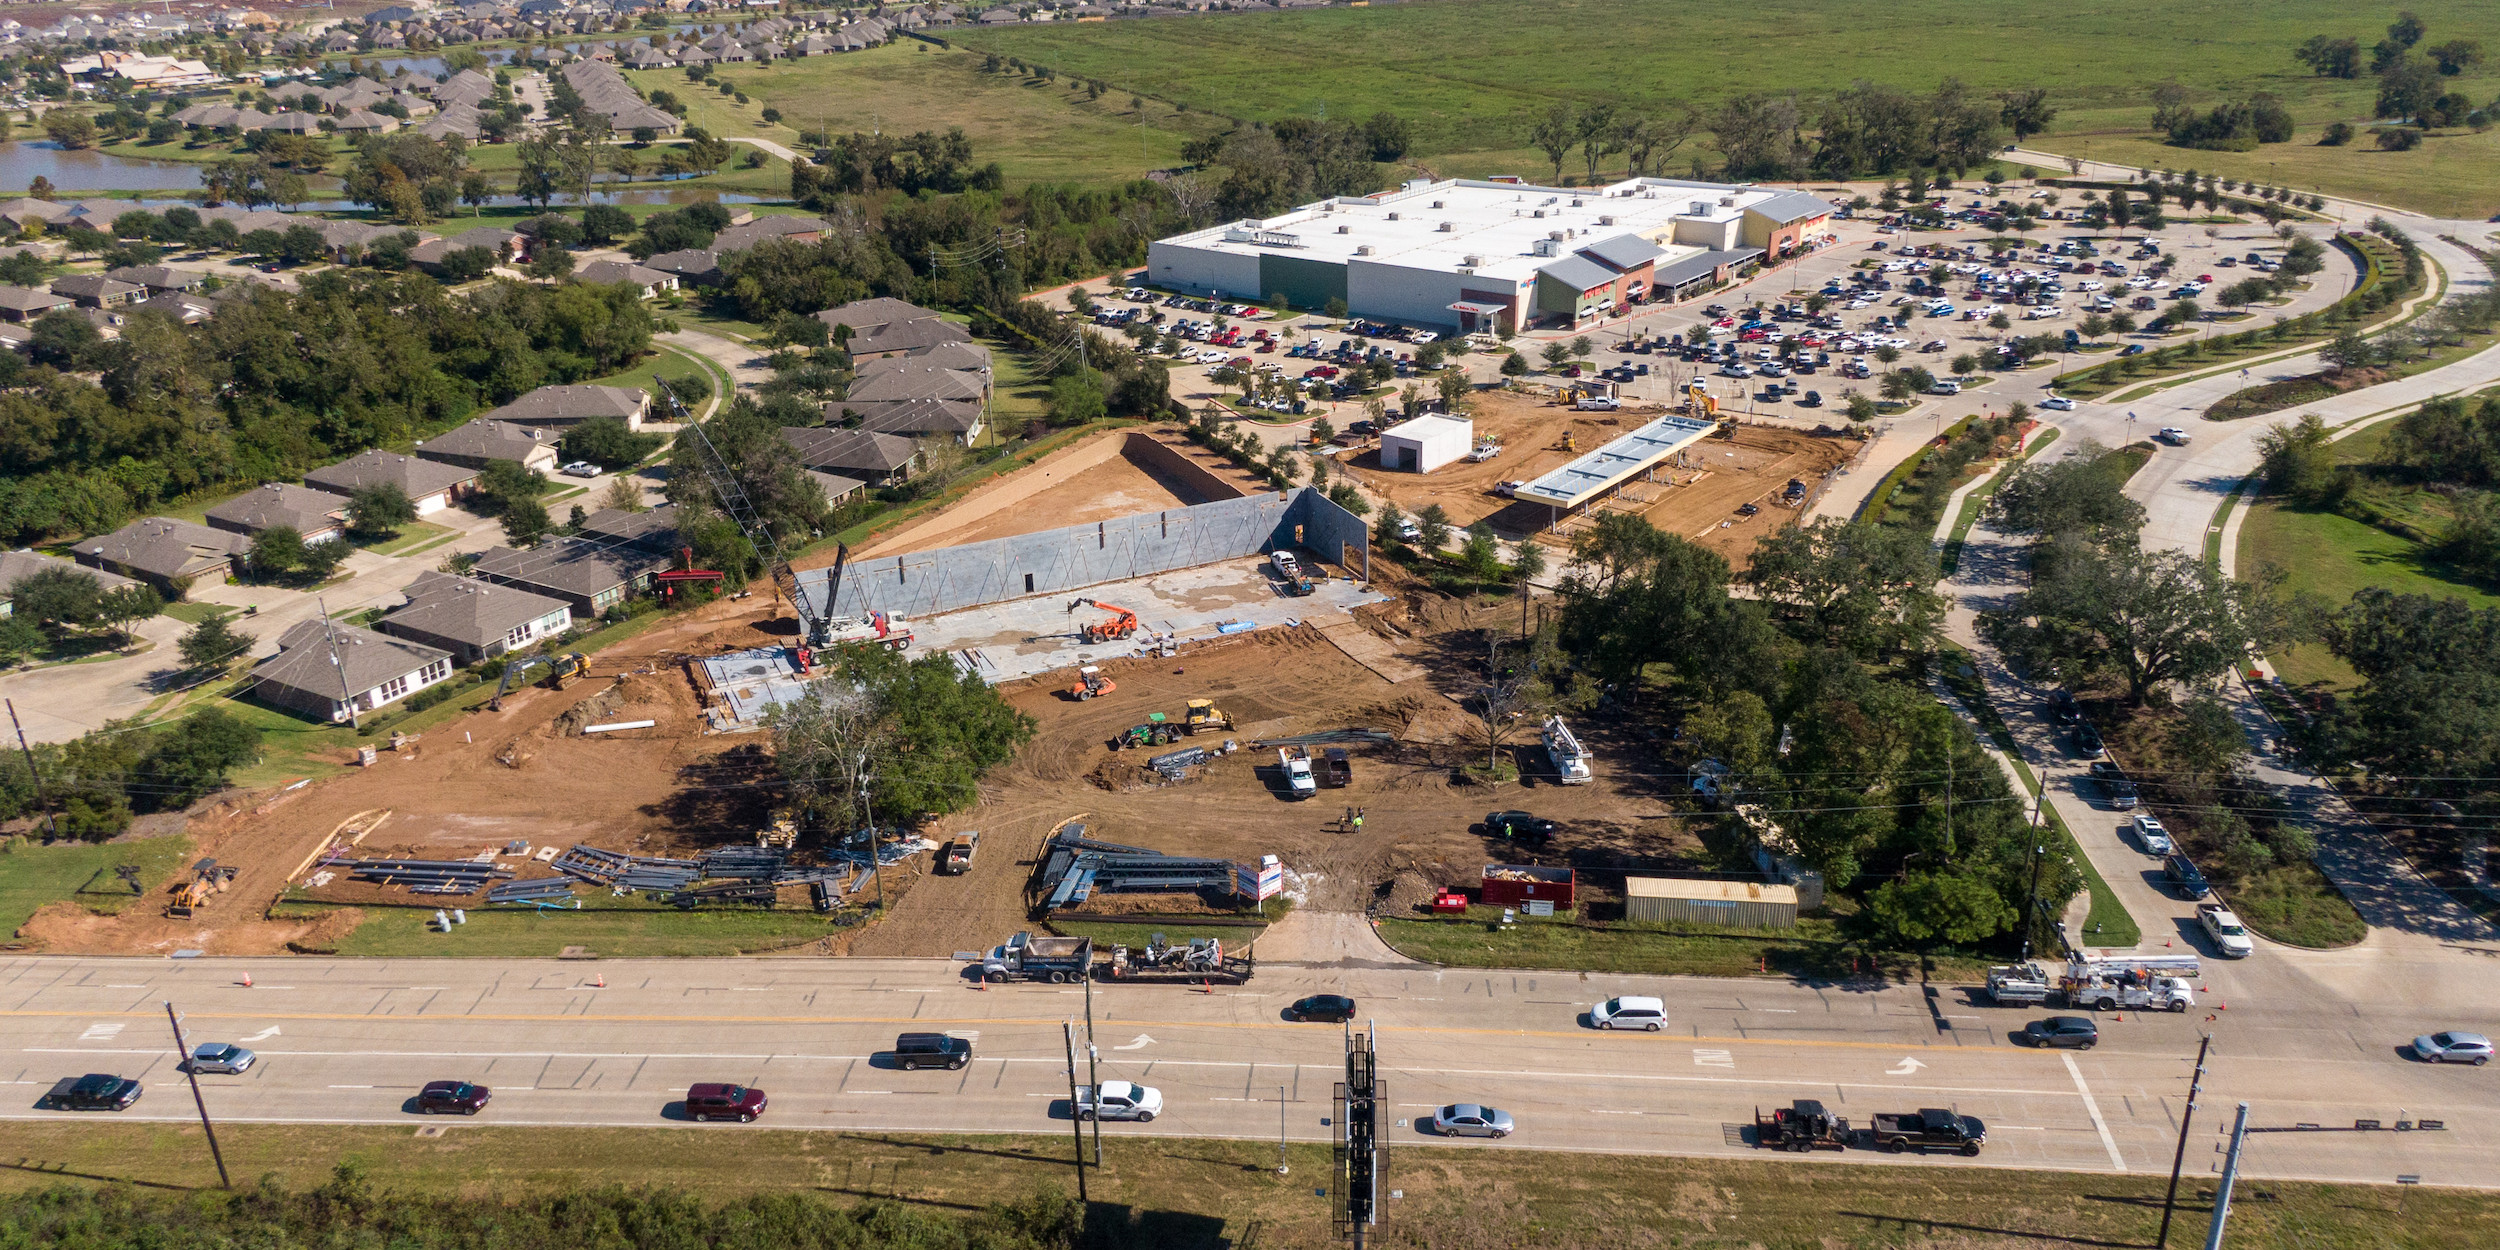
<point x="1484" y="256"/>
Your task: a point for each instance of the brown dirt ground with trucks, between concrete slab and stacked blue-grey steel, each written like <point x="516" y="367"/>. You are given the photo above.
<point x="1421" y="824"/>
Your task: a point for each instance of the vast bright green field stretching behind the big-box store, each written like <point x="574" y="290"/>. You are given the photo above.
<point x="1474" y="76"/>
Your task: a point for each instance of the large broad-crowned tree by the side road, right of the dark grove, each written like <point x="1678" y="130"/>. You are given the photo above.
<point x="2149" y="619"/>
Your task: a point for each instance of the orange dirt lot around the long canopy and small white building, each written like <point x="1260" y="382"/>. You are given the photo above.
<point x="1716" y="479"/>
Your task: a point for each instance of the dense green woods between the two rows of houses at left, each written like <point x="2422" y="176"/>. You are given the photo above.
<point x="94" y="434"/>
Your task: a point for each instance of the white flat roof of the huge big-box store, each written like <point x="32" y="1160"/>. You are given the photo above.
<point x="1441" y="226"/>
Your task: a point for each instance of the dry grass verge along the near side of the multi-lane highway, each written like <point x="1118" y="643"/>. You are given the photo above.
<point x="1226" y="1194"/>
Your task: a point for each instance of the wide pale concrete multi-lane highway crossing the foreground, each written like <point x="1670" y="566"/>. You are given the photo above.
<point x="616" y="1044"/>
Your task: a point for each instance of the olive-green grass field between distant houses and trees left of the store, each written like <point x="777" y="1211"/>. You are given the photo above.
<point x="1036" y="131"/>
